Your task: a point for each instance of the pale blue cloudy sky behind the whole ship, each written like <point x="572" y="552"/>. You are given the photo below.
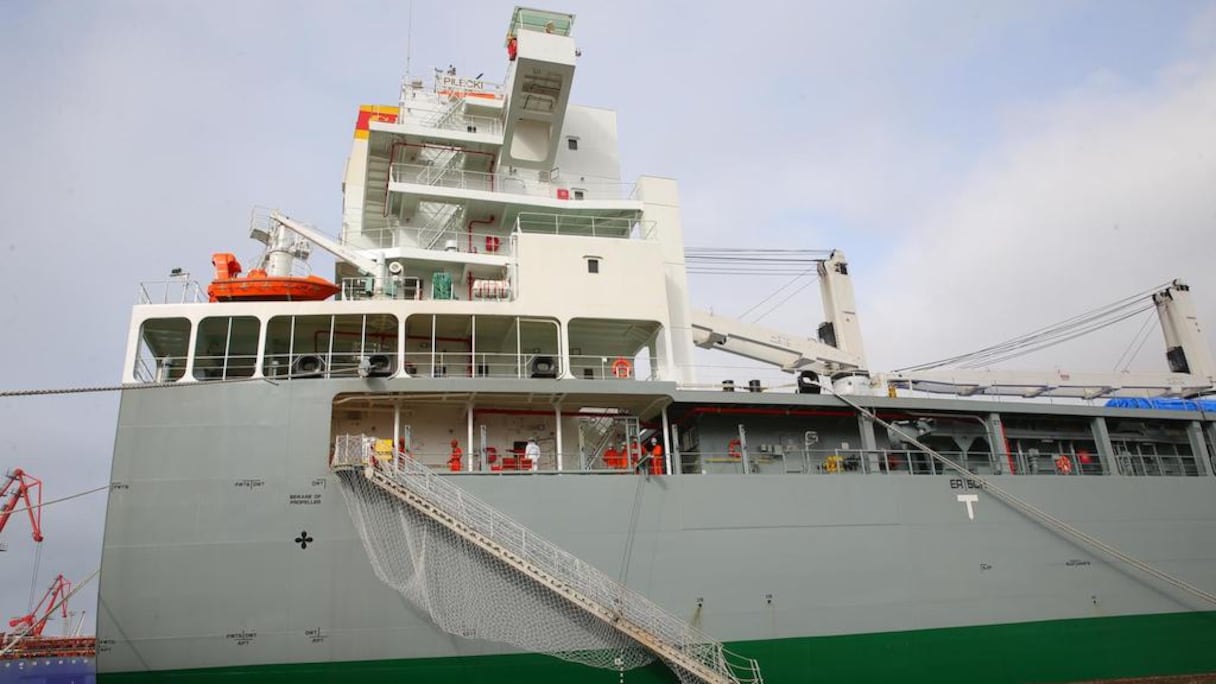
<point x="988" y="169"/>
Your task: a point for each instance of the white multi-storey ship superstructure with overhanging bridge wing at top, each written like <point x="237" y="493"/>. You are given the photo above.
<point x="500" y="192"/>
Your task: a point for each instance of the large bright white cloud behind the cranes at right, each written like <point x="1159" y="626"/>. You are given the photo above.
<point x="1091" y="197"/>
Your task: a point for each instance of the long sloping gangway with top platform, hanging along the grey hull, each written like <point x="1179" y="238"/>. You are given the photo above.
<point x="693" y="654"/>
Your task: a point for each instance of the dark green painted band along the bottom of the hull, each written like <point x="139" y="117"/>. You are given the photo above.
<point x="1065" y="651"/>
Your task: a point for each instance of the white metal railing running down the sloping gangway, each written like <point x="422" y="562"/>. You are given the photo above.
<point x="539" y="554"/>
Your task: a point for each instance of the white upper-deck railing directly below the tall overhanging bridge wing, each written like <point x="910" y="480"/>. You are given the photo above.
<point x="509" y="183"/>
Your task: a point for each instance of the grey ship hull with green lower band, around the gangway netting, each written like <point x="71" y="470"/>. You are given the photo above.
<point x="229" y="552"/>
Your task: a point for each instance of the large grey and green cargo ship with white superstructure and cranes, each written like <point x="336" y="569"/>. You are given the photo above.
<point x="483" y="453"/>
